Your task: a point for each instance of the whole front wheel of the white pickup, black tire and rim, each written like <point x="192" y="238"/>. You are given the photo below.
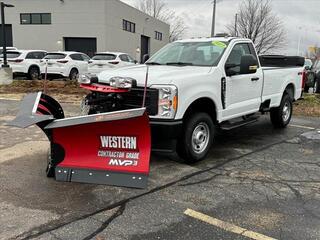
<point x="198" y="126"/>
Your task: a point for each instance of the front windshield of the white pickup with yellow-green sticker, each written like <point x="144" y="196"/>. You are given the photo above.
<point x="190" y="53"/>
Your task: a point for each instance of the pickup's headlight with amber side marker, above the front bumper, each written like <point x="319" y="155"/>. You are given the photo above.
<point x="168" y="101"/>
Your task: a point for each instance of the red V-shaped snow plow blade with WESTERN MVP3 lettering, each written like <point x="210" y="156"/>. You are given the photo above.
<point x="108" y="148"/>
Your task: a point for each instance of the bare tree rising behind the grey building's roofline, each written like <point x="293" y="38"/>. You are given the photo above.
<point x="159" y="10"/>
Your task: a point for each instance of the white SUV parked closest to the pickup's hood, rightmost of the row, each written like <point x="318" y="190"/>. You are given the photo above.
<point x="108" y="60"/>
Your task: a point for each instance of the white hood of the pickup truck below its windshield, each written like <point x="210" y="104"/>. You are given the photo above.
<point x="158" y="74"/>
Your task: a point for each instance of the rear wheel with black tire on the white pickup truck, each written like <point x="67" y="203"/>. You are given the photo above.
<point x="281" y="116"/>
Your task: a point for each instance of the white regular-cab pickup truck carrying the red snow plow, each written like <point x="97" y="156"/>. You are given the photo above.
<point x="197" y="86"/>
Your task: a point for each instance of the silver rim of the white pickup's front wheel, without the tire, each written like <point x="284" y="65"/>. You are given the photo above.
<point x="200" y="137"/>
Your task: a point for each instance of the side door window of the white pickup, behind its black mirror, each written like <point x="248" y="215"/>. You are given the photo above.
<point x="235" y="56"/>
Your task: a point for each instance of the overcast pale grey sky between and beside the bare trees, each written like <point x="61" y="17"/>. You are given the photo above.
<point x="301" y="19"/>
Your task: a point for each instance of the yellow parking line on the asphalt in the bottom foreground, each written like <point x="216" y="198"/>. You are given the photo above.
<point x="226" y="226"/>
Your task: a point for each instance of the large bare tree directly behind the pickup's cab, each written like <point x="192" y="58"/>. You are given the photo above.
<point x="257" y="21"/>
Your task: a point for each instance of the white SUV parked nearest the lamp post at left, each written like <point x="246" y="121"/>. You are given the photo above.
<point x="25" y="63"/>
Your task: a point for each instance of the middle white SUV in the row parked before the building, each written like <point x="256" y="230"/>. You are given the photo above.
<point x="64" y="64"/>
